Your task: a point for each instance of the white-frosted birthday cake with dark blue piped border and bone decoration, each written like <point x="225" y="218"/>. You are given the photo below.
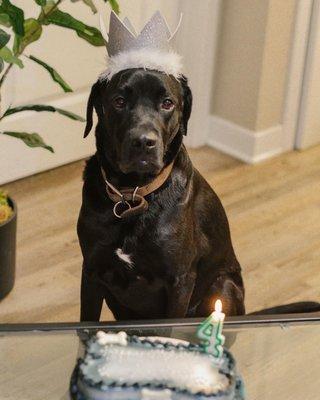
<point x="118" y="366"/>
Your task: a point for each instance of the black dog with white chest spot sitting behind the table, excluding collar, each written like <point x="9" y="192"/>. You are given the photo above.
<point x="175" y="258"/>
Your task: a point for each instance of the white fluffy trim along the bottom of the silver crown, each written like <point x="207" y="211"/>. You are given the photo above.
<point x="167" y="62"/>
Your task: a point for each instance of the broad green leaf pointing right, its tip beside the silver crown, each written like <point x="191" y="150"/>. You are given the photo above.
<point x="88" y="33"/>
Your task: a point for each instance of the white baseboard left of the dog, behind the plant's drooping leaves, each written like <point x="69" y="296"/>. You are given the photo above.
<point x="64" y="135"/>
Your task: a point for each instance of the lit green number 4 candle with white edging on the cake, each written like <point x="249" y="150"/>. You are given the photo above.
<point x="210" y="331"/>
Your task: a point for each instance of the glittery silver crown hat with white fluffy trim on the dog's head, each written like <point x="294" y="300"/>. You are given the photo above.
<point x="151" y="49"/>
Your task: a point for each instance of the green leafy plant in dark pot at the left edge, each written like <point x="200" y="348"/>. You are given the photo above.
<point x="16" y="34"/>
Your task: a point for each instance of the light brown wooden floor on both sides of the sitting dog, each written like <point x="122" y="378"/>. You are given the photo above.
<point x="273" y="209"/>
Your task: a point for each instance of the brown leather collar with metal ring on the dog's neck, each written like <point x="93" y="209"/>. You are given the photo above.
<point x="131" y="201"/>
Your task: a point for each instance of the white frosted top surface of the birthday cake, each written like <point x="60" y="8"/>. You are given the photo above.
<point x="176" y="368"/>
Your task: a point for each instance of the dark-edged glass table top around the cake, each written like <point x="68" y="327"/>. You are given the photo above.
<point x="278" y="357"/>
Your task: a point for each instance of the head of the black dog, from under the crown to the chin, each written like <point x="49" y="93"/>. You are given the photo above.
<point x="142" y="117"/>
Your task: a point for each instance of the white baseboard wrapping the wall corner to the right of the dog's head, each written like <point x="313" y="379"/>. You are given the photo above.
<point x="242" y="143"/>
